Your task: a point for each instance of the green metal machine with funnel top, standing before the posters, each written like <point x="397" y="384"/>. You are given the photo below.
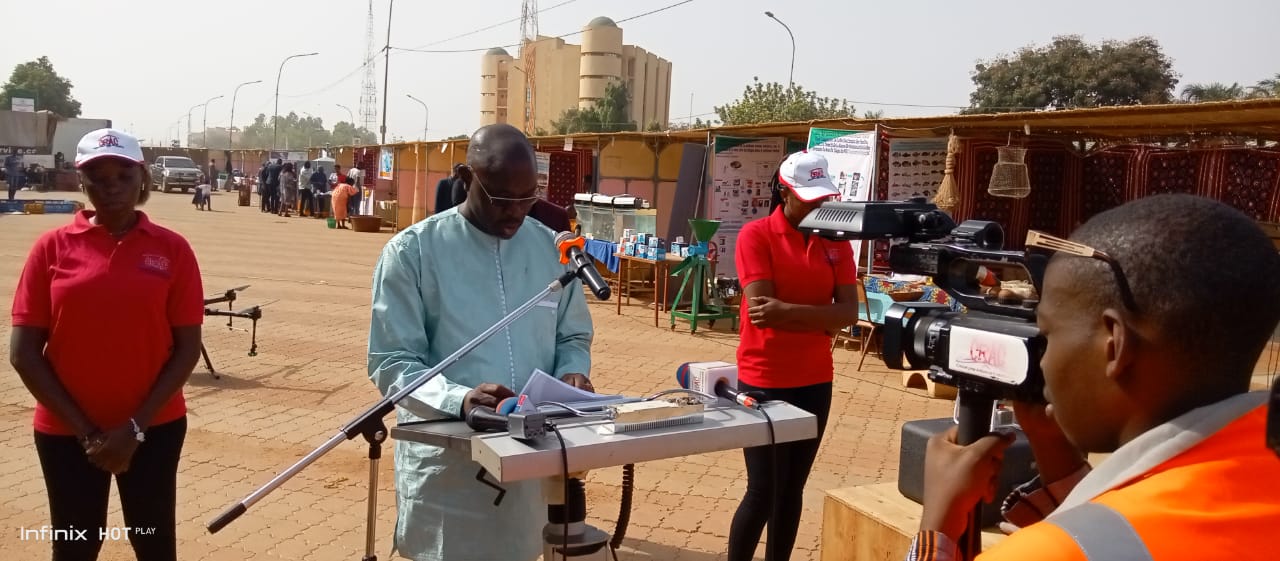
<point x="697" y="277"/>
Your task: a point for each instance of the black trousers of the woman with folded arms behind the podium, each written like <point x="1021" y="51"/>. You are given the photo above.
<point x="780" y="472"/>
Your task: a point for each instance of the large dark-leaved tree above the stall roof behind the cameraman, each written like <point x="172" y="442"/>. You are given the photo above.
<point x="1072" y="74"/>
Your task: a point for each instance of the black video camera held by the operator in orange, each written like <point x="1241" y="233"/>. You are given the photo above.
<point x="994" y="350"/>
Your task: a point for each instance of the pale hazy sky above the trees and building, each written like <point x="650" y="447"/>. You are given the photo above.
<point x="144" y="63"/>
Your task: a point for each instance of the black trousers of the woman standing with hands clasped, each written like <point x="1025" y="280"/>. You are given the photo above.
<point x="79" y="495"/>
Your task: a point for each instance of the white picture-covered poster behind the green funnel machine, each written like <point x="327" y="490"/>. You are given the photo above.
<point x="742" y="170"/>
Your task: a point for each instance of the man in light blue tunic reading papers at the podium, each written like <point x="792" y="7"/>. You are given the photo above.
<point x="437" y="286"/>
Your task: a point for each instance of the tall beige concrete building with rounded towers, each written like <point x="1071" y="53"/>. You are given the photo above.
<point x="573" y="76"/>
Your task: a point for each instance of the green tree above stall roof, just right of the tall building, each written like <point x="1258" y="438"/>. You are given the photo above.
<point x="774" y="103"/>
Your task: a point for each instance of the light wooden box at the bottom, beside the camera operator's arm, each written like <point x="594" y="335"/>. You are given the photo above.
<point x="874" y="523"/>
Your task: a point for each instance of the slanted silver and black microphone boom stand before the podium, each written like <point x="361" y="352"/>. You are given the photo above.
<point x="369" y="425"/>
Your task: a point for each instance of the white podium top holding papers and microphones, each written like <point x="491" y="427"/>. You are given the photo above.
<point x="592" y="445"/>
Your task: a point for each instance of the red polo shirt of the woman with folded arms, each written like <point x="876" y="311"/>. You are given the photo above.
<point x="804" y="272"/>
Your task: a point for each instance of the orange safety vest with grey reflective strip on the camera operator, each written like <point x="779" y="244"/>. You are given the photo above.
<point x="1219" y="500"/>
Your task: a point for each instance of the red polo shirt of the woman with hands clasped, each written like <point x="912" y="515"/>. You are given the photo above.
<point x="109" y="307"/>
